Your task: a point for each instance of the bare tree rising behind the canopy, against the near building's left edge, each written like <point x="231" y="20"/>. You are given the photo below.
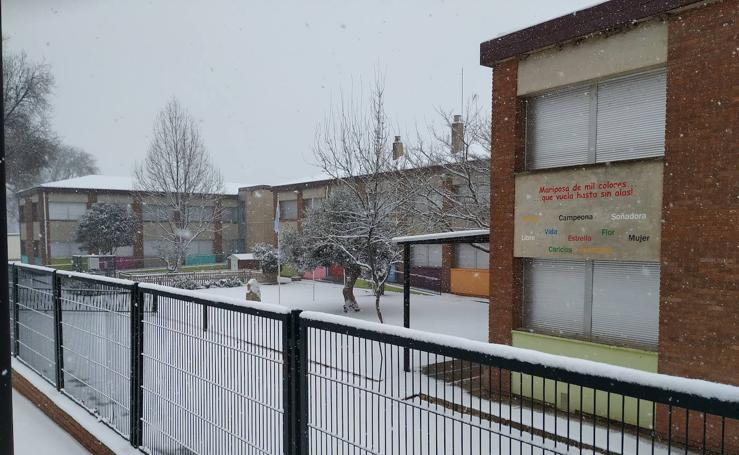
<point x="452" y="174"/>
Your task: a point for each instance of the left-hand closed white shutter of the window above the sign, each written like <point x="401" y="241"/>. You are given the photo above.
<point x="558" y="128"/>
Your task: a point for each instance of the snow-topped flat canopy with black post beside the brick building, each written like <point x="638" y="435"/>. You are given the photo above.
<point x="440" y="238"/>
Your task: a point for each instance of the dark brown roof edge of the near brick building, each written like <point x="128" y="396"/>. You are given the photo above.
<point x="603" y="16"/>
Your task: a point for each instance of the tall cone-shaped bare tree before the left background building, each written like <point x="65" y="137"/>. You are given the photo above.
<point x="179" y="184"/>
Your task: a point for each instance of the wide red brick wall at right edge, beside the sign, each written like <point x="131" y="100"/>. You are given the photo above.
<point x="699" y="292"/>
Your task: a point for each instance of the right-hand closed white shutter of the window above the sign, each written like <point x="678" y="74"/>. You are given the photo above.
<point x="631" y="117"/>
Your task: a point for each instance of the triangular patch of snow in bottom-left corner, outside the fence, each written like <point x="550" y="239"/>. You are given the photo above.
<point x="34" y="433"/>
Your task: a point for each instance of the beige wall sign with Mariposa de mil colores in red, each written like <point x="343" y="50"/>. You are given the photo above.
<point x="611" y="211"/>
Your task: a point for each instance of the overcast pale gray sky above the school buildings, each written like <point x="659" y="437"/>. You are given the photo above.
<point x="258" y="75"/>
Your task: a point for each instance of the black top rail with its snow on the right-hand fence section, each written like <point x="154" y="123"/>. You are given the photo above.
<point x="723" y="396"/>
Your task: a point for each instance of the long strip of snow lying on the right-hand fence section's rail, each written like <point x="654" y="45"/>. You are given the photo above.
<point x="698" y="387"/>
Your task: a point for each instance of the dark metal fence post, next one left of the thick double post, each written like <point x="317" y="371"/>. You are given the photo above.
<point x="137" y="366"/>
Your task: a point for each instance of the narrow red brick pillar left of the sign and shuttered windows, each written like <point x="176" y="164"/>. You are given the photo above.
<point x="504" y="312"/>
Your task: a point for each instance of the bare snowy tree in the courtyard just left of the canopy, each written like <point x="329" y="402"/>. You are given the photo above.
<point x="353" y="146"/>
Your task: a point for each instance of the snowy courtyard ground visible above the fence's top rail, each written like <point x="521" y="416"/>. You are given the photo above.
<point x="448" y="314"/>
